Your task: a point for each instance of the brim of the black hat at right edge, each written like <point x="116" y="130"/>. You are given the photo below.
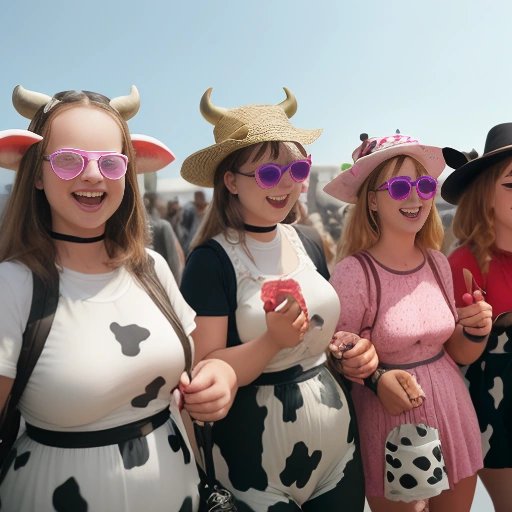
<point x="460" y="179"/>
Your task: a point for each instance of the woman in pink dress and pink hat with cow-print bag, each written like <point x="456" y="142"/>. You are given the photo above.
<point x="395" y="288"/>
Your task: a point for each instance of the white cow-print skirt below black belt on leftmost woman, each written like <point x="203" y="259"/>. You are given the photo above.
<point x="156" y="473"/>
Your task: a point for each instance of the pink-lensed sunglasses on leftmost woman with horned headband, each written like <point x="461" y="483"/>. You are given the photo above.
<point x="68" y="163"/>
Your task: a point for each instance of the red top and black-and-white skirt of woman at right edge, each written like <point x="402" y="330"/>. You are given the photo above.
<point x="490" y="377"/>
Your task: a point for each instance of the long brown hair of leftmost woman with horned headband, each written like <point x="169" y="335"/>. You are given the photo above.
<point x="25" y="226"/>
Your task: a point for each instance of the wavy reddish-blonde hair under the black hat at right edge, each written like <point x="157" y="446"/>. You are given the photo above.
<point x="473" y="224"/>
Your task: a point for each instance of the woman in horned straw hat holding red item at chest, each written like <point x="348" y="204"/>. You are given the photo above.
<point x="288" y="442"/>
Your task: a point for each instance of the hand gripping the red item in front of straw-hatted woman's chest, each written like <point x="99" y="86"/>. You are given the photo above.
<point x="287" y="325"/>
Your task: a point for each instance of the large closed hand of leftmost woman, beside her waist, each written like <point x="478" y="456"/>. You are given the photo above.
<point x="212" y="390"/>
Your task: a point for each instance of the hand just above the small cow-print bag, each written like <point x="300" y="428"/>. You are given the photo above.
<point x="399" y="391"/>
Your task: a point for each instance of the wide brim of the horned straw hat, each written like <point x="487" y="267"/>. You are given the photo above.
<point x="199" y="168"/>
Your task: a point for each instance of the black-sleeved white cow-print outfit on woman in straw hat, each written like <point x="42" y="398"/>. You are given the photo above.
<point x="289" y="438"/>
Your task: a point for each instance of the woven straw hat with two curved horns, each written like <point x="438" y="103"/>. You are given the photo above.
<point x="240" y="127"/>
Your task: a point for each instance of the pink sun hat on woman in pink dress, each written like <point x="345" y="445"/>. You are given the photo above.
<point x="372" y="152"/>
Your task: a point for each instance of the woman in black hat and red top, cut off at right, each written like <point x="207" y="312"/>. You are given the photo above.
<point x="482" y="190"/>
